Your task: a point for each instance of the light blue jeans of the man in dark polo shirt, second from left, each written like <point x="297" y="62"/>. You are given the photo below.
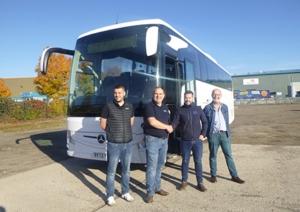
<point x="156" y="154"/>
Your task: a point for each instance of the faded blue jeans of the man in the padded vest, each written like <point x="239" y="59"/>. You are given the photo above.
<point x="116" y="152"/>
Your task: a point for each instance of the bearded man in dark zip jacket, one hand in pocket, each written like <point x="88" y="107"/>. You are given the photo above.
<point x="188" y="118"/>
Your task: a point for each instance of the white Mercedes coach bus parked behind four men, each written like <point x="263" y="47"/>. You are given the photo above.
<point x="139" y="55"/>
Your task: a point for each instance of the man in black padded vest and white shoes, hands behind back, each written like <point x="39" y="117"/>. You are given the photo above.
<point x="116" y="119"/>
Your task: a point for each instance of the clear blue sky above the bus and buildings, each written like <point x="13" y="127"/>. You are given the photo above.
<point x="242" y="35"/>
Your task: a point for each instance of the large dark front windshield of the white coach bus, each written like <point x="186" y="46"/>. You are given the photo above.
<point x="104" y="60"/>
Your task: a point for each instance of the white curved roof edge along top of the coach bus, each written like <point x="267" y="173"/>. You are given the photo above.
<point x="144" y="22"/>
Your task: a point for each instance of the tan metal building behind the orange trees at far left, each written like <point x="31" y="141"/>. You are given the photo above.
<point x="19" y="85"/>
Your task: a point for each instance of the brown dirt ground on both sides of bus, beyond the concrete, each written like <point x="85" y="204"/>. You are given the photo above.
<point x="253" y="124"/>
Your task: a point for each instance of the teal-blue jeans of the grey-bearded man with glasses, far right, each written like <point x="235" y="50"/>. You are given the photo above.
<point x="221" y="139"/>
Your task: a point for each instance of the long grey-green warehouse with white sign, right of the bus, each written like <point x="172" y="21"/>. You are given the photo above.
<point x="282" y="83"/>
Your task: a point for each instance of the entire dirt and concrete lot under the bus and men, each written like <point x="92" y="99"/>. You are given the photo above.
<point x="36" y="175"/>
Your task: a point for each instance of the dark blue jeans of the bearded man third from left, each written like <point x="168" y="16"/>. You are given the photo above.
<point x="186" y="147"/>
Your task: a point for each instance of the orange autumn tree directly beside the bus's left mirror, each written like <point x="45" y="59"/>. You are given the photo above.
<point x="55" y="83"/>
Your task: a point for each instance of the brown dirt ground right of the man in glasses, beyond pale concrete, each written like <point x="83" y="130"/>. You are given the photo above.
<point x="267" y="125"/>
